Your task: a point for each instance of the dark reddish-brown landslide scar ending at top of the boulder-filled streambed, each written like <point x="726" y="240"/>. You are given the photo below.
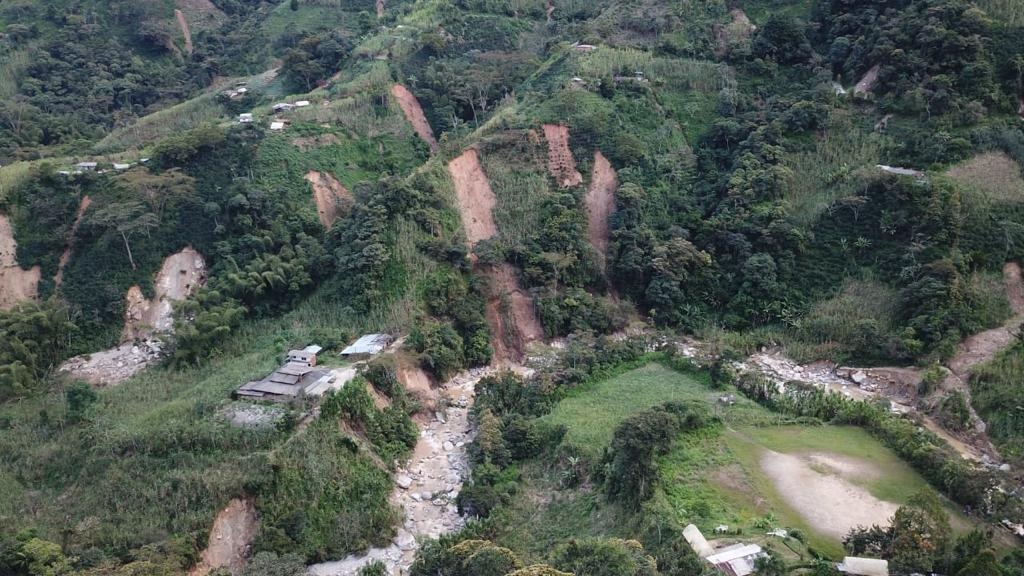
<point x="510" y="314"/>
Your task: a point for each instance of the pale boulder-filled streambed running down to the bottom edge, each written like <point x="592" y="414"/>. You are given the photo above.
<point x="428" y="487"/>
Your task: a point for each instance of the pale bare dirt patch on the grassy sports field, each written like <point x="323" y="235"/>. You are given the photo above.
<point x="825" y="498"/>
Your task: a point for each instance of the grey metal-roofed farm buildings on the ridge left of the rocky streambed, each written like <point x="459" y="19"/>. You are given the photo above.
<point x="301" y="378"/>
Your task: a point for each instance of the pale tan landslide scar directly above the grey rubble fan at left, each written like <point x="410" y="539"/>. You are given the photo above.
<point x="181" y="276"/>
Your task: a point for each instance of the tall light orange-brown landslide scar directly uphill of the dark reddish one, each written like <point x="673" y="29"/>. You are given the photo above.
<point x="476" y="198"/>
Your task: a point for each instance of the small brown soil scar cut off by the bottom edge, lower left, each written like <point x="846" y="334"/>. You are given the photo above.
<point x="233" y="532"/>
